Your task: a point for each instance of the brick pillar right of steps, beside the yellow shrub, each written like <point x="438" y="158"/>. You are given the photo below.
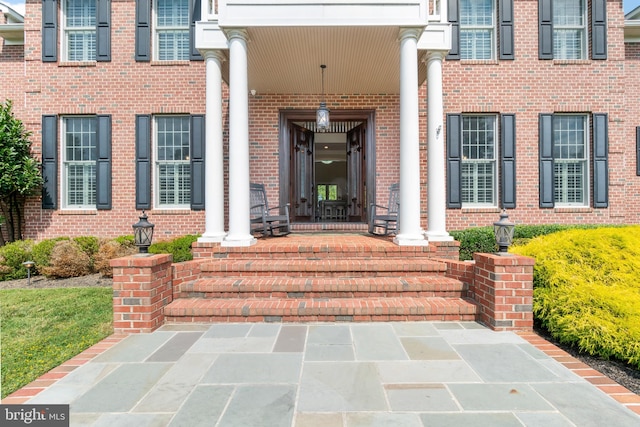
<point x="503" y="288"/>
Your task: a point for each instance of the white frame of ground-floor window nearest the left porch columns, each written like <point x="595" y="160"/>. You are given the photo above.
<point x="159" y="163"/>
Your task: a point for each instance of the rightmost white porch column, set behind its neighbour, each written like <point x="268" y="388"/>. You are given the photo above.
<point x="436" y="180"/>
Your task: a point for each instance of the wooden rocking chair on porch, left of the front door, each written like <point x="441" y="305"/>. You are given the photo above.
<point x="262" y="220"/>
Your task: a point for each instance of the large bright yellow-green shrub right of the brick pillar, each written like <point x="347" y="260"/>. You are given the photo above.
<point x="587" y="289"/>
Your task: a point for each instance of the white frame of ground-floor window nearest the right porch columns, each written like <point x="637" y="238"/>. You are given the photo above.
<point x="477" y="162"/>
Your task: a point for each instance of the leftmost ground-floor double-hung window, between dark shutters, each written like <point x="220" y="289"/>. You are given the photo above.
<point x="79" y="162"/>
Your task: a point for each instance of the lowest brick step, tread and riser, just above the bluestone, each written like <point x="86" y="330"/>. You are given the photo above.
<point x="320" y="310"/>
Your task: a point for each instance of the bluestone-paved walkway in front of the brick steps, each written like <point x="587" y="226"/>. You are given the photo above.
<point x="412" y="374"/>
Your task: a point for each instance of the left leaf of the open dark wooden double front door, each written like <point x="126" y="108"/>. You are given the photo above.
<point x="302" y="197"/>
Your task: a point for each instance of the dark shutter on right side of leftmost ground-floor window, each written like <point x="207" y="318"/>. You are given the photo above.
<point x="103" y="162"/>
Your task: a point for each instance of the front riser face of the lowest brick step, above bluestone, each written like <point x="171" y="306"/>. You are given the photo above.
<point x="323" y="318"/>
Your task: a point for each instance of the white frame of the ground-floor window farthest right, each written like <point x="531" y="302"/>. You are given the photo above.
<point x="562" y="165"/>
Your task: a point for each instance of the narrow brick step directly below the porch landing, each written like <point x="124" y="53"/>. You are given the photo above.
<point x="322" y="267"/>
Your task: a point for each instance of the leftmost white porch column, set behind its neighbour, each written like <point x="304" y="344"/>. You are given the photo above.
<point x="214" y="161"/>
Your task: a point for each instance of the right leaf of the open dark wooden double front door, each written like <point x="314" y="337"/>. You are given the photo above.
<point x="356" y="173"/>
